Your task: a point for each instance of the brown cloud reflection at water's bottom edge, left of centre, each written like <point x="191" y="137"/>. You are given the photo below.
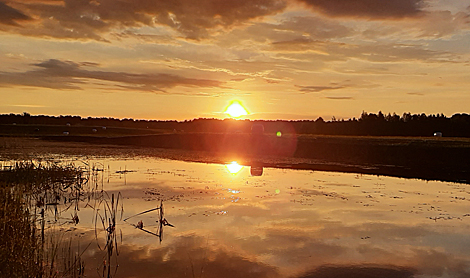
<point x="186" y="255"/>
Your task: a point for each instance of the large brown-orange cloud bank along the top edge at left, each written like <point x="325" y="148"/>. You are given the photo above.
<point x="194" y="20"/>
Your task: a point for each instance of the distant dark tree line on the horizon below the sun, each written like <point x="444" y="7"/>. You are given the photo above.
<point x="368" y="124"/>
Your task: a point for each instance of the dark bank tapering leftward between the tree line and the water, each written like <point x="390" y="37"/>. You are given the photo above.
<point x="424" y="158"/>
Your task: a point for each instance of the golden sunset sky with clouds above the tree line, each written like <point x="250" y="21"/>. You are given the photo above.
<point x="282" y="59"/>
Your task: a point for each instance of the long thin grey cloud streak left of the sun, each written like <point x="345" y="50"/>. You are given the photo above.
<point x="57" y="74"/>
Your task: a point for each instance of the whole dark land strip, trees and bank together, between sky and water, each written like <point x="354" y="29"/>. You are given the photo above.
<point x="405" y="146"/>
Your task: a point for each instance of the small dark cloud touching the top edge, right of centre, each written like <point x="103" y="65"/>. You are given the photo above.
<point x="373" y="9"/>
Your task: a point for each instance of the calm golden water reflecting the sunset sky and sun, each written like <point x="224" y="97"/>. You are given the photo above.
<point x="282" y="223"/>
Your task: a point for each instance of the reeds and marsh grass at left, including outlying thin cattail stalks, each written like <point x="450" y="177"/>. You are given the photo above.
<point x="38" y="199"/>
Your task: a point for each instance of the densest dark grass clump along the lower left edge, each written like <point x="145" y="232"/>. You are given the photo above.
<point x="22" y="239"/>
